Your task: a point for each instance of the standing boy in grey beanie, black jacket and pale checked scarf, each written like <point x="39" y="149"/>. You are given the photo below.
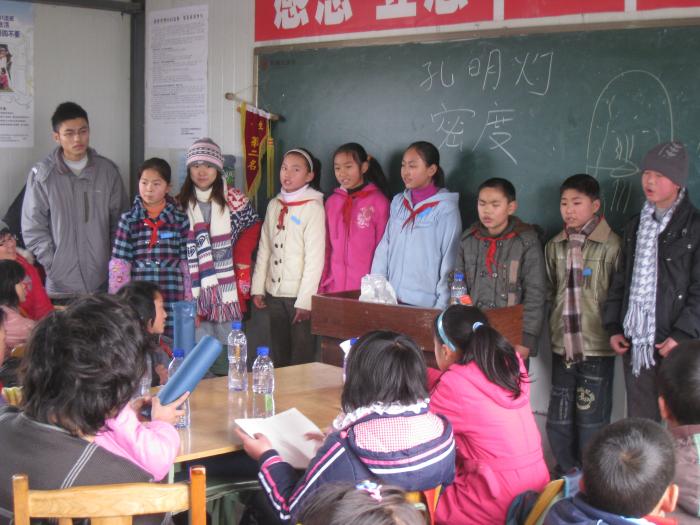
<point x="654" y="300"/>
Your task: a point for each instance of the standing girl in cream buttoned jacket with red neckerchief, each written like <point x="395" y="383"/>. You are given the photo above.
<point x="290" y="259"/>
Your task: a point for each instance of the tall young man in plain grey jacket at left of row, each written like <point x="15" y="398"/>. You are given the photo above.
<point x="71" y="209"/>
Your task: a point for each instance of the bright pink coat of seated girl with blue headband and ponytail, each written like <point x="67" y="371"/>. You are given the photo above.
<point x="499" y="448"/>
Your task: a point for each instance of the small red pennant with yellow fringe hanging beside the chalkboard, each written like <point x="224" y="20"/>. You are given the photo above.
<point x="257" y="139"/>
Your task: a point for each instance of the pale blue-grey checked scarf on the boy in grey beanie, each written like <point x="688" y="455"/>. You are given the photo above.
<point x="640" y="320"/>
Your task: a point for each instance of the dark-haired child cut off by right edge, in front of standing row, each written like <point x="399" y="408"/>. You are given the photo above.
<point x="679" y="403"/>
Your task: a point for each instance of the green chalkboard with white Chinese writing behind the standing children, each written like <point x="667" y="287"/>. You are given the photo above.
<point x="533" y="109"/>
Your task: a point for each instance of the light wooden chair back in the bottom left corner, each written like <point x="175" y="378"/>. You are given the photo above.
<point x="111" y="504"/>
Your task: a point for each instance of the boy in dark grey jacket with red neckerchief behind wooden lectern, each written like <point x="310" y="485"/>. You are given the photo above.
<point x="502" y="260"/>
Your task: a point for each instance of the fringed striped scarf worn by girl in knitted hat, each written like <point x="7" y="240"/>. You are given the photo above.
<point x="210" y="261"/>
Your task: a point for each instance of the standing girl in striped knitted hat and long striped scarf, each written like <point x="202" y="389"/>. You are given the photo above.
<point x="224" y="230"/>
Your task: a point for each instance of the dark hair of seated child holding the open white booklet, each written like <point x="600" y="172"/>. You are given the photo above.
<point x="384" y="367"/>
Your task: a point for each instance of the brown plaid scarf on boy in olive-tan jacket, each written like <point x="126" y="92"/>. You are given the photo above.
<point x="571" y="315"/>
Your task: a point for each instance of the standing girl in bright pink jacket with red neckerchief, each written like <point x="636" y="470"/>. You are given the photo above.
<point x="356" y="215"/>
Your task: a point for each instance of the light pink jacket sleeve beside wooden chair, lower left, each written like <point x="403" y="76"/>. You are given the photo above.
<point x="151" y="445"/>
